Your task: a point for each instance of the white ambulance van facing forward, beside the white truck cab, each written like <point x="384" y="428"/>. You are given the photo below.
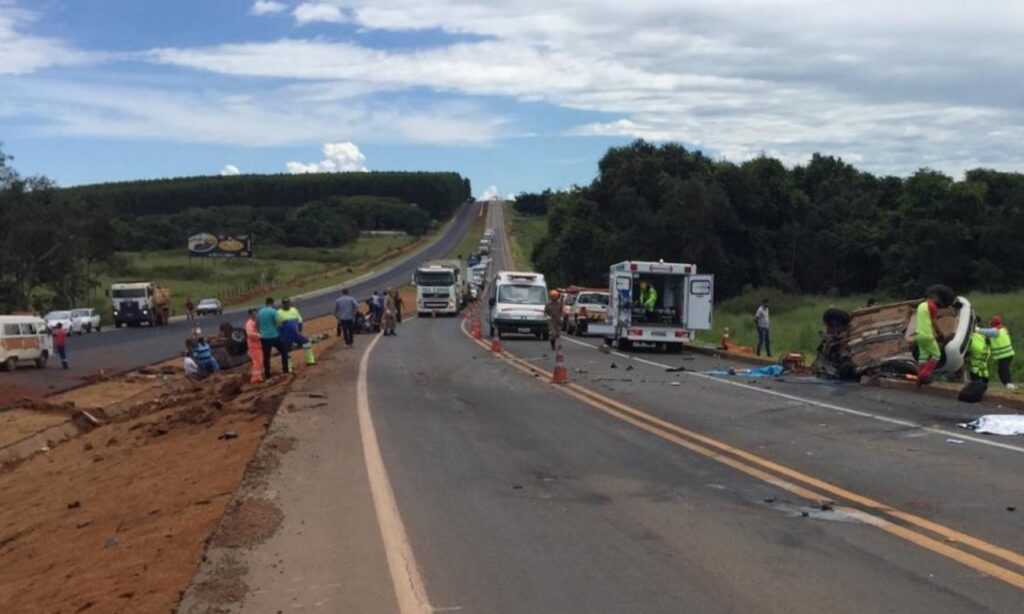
<point x="518" y="301"/>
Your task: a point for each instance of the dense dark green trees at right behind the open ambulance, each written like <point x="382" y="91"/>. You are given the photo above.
<point x="824" y="228"/>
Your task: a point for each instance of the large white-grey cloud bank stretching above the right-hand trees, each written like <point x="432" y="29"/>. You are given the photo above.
<point x="901" y="86"/>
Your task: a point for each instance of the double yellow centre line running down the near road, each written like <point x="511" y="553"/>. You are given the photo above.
<point x="1000" y="563"/>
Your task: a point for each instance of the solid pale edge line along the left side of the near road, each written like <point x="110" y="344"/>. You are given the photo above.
<point x="409" y="588"/>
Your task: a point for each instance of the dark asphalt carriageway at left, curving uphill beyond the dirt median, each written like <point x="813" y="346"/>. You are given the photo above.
<point x="117" y="349"/>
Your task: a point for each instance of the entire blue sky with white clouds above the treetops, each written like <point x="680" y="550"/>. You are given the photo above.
<point x="520" y="97"/>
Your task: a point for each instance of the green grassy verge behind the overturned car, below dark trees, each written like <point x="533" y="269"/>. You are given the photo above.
<point x="796" y="321"/>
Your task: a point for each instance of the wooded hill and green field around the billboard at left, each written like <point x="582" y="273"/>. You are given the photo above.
<point x="63" y="248"/>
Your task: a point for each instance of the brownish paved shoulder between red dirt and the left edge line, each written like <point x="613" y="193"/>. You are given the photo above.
<point x="303" y="533"/>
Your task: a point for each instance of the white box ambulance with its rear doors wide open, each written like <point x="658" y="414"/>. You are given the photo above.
<point x="684" y="305"/>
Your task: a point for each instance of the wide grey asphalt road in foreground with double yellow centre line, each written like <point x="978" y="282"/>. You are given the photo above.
<point x="639" y="490"/>
